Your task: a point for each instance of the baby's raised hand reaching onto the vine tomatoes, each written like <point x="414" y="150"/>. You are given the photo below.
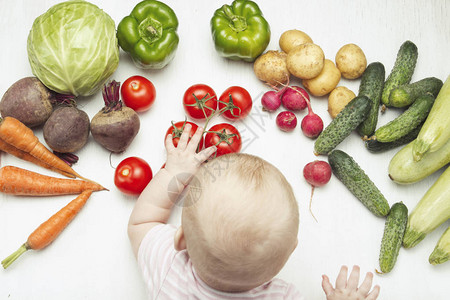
<point x="183" y="161"/>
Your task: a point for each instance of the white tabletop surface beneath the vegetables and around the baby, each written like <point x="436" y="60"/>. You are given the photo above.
<point x="92" y="258"/>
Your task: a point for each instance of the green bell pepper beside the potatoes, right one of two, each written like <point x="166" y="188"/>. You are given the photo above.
<point x="240" y="31"/>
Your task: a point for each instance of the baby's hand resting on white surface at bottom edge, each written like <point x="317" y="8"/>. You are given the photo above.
<point x="348" y="290"/>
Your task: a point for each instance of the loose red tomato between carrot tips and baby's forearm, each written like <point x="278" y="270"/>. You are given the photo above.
<point x="132" y="175"/>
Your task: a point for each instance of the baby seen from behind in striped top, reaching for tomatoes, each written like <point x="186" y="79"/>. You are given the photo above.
<point x="239" y="226"/>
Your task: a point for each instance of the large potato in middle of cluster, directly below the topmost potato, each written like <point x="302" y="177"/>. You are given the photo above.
<point x="305" y="61"/>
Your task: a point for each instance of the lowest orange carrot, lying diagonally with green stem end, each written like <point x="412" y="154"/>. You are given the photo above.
<point x="48" y="231"/>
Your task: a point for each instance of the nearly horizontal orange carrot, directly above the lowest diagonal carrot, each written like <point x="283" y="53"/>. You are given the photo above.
<point x="18" y="181"/>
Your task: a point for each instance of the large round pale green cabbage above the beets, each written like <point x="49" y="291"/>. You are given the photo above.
<point x="73" y="49"/>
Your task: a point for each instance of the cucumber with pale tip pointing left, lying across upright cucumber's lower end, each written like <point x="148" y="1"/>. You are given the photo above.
<point x="406" y="94"/>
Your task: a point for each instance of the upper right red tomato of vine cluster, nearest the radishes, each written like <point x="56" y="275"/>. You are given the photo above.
<point x="238" y="100"/>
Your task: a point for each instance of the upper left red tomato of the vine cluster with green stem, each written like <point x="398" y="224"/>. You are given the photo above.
<point x="200" y="101"/>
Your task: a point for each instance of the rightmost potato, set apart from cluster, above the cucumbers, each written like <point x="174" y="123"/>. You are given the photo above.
<point x="351" y="61"/>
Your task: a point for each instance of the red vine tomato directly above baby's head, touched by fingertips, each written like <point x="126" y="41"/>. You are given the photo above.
<point x="225" y="137"/>
